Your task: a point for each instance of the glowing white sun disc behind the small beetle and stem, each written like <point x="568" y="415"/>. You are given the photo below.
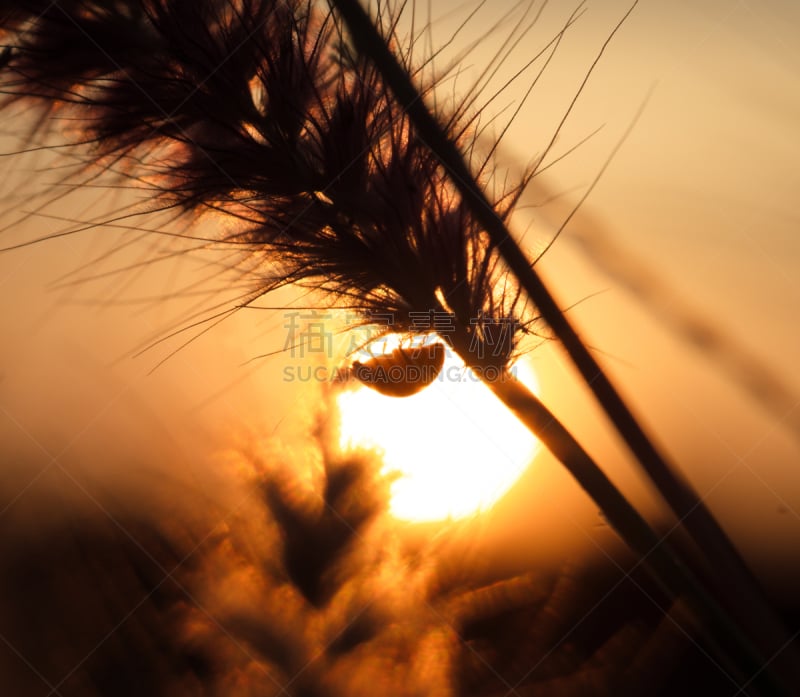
<point x="455" y="447"/>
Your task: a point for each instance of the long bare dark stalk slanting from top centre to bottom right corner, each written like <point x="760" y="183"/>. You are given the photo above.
<point x="739" y="588"/>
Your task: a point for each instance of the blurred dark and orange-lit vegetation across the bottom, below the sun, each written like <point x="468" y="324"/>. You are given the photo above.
<point x="309" y="591"/>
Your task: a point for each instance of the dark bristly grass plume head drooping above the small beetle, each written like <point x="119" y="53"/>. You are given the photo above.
<point x="262" y="111"/>
